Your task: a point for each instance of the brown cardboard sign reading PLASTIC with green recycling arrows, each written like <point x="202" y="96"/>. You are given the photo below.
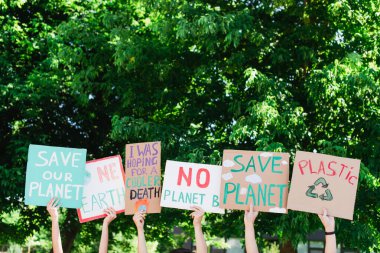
<point x="324" y="181"/>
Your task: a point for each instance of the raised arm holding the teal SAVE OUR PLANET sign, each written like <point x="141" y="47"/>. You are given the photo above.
<point x="52" y="208"/>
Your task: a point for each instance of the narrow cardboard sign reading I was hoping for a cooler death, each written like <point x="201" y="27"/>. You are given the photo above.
<point x="143" y="177"/>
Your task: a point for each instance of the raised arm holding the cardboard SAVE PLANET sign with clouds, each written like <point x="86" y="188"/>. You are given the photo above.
<point x="250" y="239"/>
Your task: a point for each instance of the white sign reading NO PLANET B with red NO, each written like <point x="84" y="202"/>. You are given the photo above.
<point x="191" y="184"/>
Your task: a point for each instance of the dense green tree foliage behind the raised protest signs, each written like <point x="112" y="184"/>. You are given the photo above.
<point x="200" y="76"/>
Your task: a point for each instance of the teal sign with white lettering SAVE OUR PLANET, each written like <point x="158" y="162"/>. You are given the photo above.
<point x="55" y="172"/>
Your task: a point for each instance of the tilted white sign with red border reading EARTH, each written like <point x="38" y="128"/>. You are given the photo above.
<point x="103" y="187"/>
